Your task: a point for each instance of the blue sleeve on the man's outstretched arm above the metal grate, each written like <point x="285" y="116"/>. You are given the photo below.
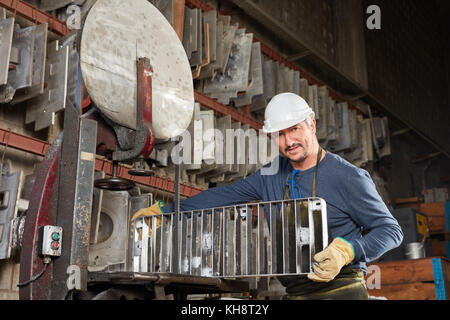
<point x="242" y="191"/>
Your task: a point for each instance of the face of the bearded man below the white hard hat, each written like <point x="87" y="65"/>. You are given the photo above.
<point x="295" y="143"/>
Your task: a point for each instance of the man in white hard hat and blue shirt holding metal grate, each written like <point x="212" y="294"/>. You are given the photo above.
<point x="306" y="170"/>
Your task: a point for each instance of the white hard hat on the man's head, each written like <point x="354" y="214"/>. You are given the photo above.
<point x="285" y="110"/>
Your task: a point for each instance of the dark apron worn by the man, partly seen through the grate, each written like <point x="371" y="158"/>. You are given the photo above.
<point x="349" y="284"/>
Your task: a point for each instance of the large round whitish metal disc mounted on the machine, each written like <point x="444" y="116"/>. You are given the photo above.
<point x="115" y="34"/>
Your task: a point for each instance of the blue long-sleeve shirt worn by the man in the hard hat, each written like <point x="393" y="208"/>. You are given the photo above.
<point x="353" y="203"/>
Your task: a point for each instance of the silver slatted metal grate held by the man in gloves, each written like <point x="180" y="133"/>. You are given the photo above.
<point x="275" y="238"/>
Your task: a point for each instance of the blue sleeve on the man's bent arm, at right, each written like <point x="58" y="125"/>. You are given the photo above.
<point x="368" y="210"/>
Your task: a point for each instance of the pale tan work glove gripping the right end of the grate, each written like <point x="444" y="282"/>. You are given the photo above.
<point x="330" y="261"/>
